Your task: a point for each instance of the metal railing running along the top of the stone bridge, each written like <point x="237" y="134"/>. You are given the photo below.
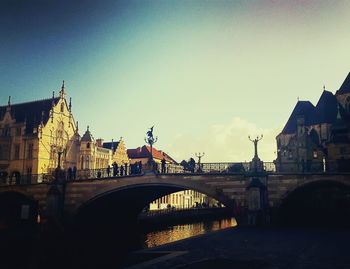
<point x="315" y="166"/>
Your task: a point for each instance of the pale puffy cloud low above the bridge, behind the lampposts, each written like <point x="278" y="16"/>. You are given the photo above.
<point x="226" y="142"/>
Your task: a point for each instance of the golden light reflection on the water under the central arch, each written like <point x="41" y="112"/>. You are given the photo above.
<point x="178" y="232"/>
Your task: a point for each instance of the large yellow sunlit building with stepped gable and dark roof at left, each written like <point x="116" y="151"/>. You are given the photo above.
<point x="36" y="137"/>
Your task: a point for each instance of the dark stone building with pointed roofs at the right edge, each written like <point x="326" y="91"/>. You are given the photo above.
<point x="317" y="138"/>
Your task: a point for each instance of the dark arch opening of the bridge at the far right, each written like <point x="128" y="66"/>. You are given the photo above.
<point x="317" y="202"/>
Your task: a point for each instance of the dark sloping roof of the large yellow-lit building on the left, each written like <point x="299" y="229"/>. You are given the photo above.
<point x="31" y="112"/>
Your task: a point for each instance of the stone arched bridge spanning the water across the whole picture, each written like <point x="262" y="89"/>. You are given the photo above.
<point x="129" y="195"/>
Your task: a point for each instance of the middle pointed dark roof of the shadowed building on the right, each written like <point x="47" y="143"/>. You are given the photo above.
<point x="326" y="109"/>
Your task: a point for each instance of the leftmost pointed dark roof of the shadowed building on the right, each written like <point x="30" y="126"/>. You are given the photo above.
<point x="302" y="108"/>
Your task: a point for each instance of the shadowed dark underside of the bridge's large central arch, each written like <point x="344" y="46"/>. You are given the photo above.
<point x="111" y="214"/>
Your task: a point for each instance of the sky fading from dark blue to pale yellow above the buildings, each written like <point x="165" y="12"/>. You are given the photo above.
<point x="206" y="73"/>
